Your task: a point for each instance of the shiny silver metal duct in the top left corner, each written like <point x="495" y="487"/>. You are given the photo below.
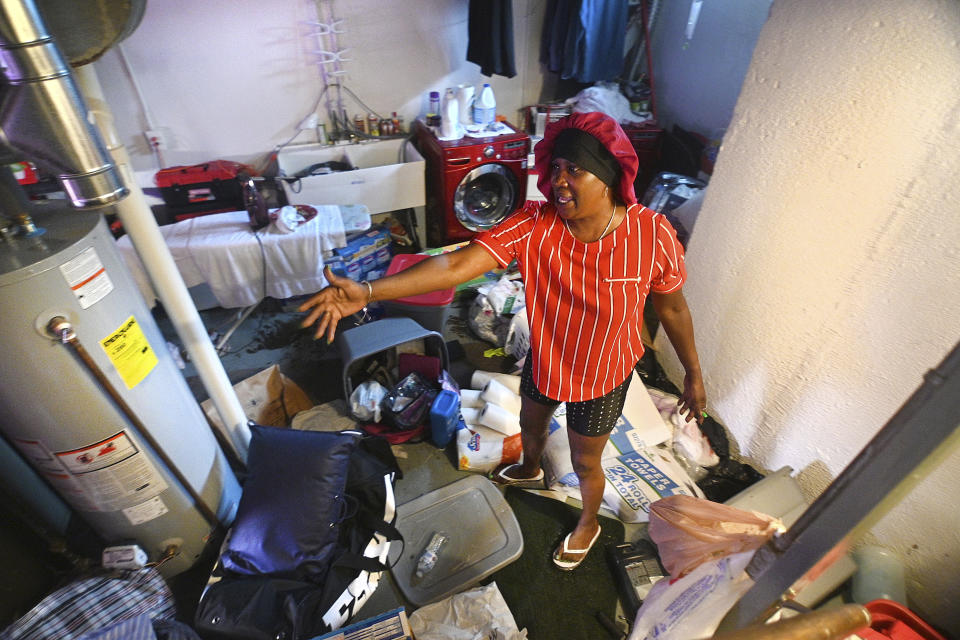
<point x="43" y="116"/>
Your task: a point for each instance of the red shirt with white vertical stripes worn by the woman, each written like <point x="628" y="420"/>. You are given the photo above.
<point x="585" y="300"/>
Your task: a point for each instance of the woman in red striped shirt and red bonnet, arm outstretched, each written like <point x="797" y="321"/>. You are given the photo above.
<point x="589" y="257"/>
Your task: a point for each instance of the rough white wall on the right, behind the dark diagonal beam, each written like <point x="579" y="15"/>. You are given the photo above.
<point x="825" y="264"/>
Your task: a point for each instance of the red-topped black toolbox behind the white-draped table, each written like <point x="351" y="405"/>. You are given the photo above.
<point x="203" y="188"/>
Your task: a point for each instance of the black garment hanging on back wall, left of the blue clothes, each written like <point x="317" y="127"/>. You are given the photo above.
<point x="490" y="37"/>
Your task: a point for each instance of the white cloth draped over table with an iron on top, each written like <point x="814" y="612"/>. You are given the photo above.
<point x="242" y="267"/>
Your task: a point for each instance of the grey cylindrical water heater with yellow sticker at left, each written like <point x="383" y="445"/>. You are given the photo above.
<point x="142" y="465"/>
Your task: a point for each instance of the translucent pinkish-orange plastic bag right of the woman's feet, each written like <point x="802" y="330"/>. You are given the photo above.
<point x="689" y="531"/>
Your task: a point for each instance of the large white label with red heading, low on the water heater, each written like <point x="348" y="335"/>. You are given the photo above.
<point x="113" y="473"/>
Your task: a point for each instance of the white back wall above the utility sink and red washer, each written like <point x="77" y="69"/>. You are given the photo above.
<point x="232" y="79"/>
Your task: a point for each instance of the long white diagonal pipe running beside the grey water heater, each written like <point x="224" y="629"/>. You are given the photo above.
<point x="139" y="223"/>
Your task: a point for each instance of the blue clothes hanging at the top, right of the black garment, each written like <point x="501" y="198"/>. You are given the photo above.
<point x="584" y="39"/>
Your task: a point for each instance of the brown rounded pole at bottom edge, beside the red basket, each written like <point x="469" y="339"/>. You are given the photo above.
<point x="831" y="624"/>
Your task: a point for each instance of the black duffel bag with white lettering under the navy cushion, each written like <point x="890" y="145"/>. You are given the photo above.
<point x="270" y="608"/>
